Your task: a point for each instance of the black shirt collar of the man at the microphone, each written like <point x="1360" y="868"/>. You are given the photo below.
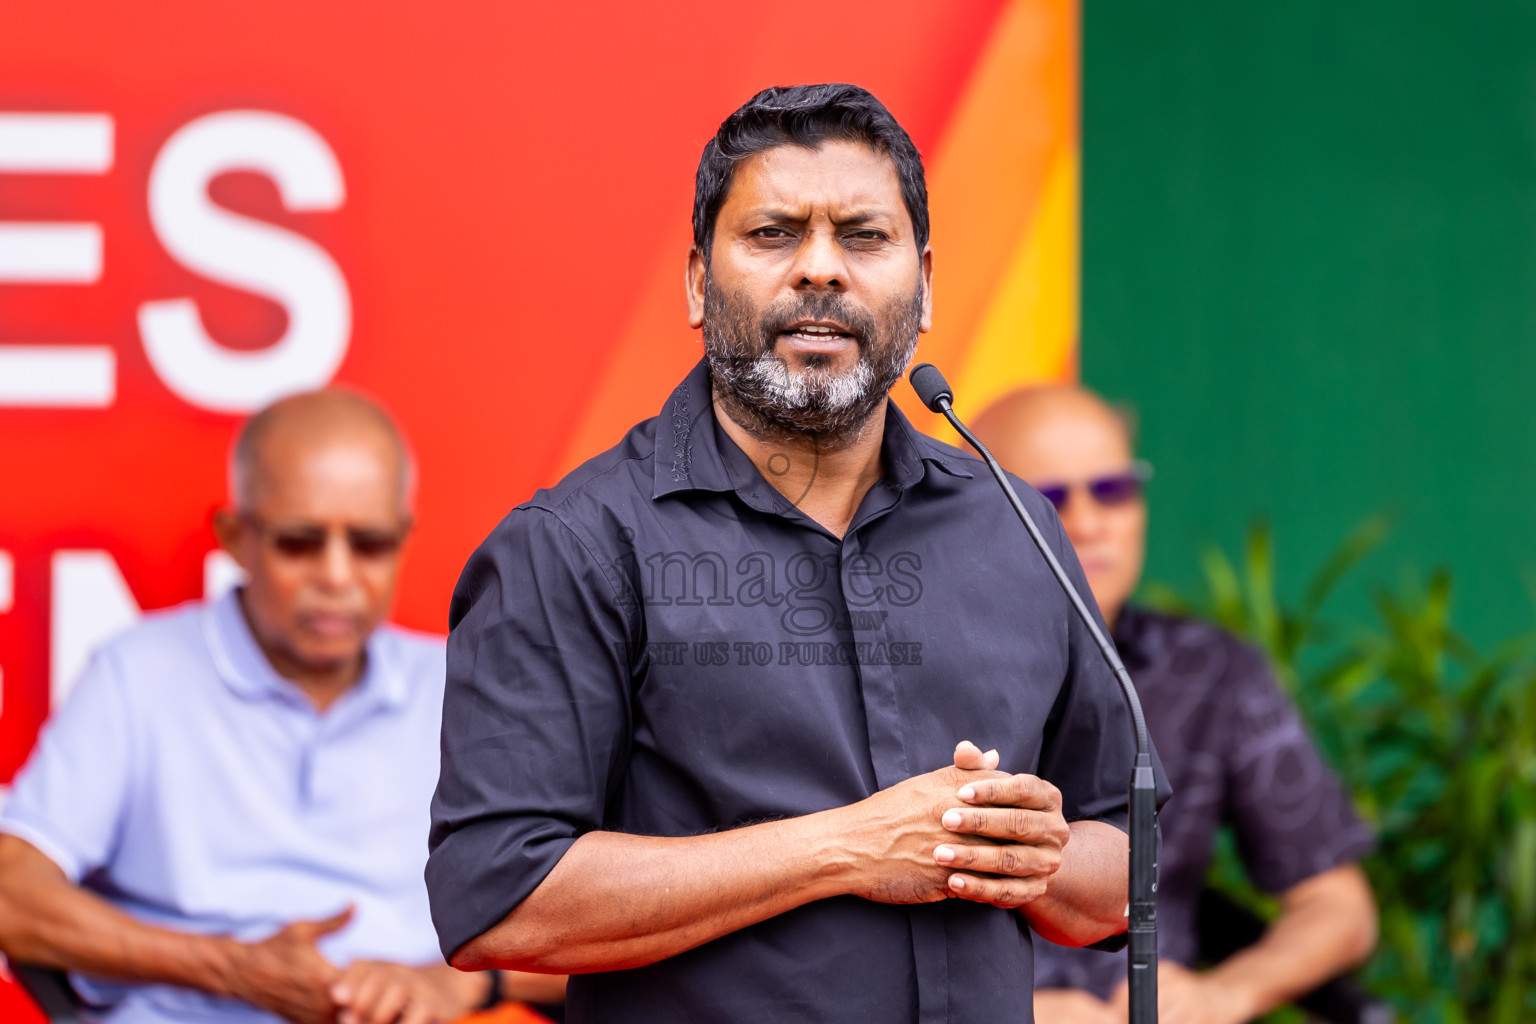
<point x="694" y="454"/>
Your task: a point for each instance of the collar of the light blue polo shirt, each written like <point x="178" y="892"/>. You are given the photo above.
<point x="247" y="670"/>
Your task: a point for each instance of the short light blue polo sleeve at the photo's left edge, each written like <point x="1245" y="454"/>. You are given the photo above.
<point x="70" y="798"/>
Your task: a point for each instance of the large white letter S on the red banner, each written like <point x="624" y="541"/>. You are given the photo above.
<point x="247" y="254"/>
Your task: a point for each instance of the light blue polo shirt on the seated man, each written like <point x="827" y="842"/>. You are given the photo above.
<point x="197" y="790"/>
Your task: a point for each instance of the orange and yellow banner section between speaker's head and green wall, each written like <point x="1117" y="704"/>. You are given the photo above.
<point x="1015" y="128"/>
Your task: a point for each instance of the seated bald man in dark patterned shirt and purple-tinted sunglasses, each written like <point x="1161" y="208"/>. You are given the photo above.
<point x="1233" y="745"/>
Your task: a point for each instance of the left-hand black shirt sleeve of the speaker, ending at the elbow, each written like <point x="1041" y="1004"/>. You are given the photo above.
<point x="535" y="722"/>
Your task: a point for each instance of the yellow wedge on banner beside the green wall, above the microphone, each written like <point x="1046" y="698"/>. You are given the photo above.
<point x="1030" y="331"/>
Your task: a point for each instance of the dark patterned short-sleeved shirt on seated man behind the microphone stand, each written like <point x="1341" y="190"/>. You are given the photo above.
<point x="1237" y="755"/>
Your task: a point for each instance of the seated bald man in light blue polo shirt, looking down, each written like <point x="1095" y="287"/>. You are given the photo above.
<point x="228" y="819"/>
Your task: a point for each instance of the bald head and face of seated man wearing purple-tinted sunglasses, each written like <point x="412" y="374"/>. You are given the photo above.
<point x="1073" y="443"/>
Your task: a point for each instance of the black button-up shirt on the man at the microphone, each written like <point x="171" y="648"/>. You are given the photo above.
<point x="664" y="646"/>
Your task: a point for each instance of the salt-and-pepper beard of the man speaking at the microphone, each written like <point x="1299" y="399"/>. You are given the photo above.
<point x="818" y="405"/>
